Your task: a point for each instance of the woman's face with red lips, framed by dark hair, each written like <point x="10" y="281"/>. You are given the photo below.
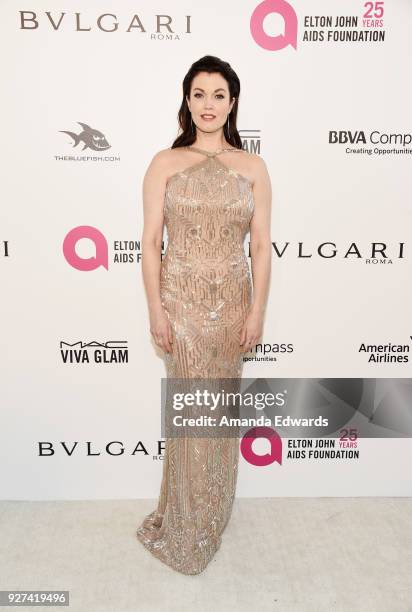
<point x="209" y="95"/>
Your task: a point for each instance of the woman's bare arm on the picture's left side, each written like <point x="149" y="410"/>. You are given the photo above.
<point x="154" y="185"/>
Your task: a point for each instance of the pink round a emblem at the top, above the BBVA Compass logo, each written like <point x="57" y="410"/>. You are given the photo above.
<point x="274" y="43"/>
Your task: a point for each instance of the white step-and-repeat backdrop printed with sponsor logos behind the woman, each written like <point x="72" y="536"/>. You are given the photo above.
<point x="89" y="95"/>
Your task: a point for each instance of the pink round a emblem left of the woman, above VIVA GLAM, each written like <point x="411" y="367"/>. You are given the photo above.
<point x="86" y="264"/>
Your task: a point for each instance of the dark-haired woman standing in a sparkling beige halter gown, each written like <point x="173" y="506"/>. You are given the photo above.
<point x="210" y="193"/>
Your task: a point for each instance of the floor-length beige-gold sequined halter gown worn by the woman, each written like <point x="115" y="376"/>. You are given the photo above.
<point x="206" y="290"/>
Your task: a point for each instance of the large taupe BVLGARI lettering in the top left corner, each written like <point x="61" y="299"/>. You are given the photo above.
<point x="160" y="25"/>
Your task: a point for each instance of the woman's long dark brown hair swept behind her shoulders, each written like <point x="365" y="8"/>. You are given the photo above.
<point x="209" y="63"/>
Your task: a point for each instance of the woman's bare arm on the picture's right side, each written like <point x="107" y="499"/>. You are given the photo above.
<point x="261" y="253"/>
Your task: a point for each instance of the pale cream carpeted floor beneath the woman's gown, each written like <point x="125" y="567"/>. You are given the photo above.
<point x="281" y="554"/>
